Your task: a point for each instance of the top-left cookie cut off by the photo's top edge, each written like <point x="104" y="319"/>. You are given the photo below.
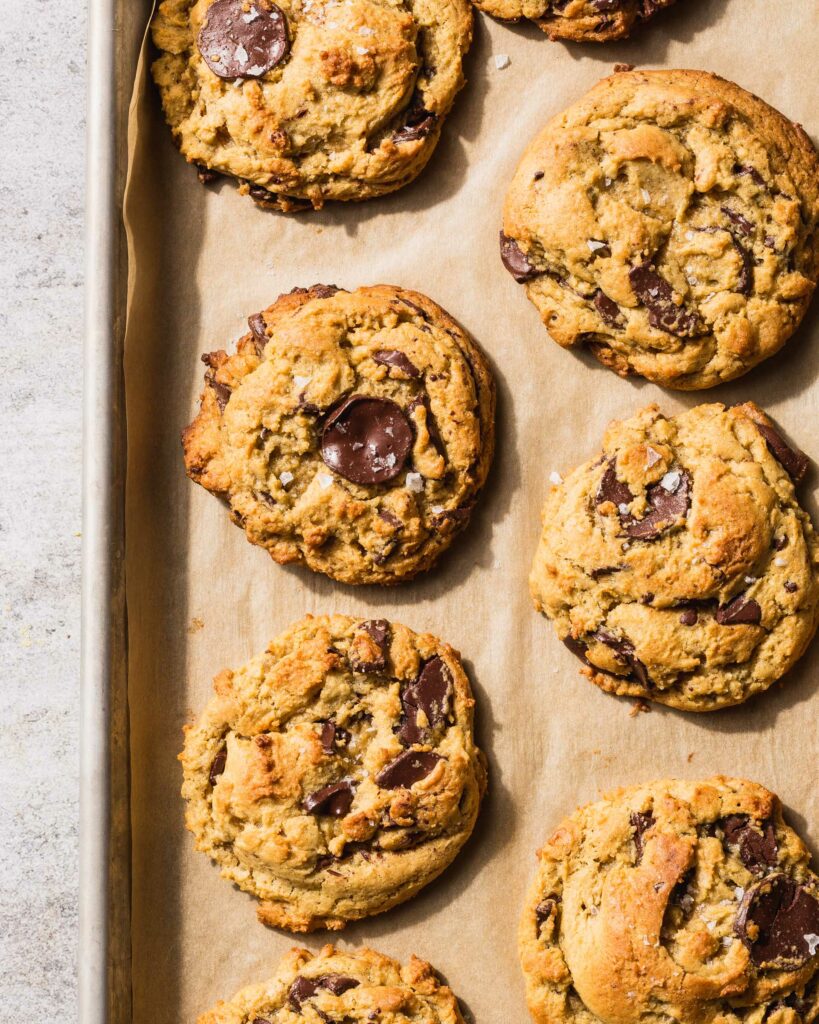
<point x="308" y="102"/>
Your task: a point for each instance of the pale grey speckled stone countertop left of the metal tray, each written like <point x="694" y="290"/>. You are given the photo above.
<point x="42" y="104"/>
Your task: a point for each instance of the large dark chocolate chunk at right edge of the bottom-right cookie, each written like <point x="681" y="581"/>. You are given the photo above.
<point x="775" y="918"/>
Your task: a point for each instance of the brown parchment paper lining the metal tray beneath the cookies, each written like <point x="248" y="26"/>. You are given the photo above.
<point x="201" y="599"/>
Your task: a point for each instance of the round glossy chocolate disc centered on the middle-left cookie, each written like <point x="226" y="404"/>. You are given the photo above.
<point x="367" y="441"/>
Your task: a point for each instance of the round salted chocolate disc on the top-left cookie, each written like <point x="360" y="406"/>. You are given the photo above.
<point x="237" y="42"/>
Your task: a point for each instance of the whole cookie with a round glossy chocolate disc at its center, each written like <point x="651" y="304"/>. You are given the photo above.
<point x="351" y="432"/>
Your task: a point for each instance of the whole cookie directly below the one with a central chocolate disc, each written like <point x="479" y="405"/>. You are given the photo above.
<point x="335" y="776"/>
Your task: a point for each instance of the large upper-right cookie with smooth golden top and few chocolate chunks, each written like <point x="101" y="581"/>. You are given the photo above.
<point x="669" y="223"/>
